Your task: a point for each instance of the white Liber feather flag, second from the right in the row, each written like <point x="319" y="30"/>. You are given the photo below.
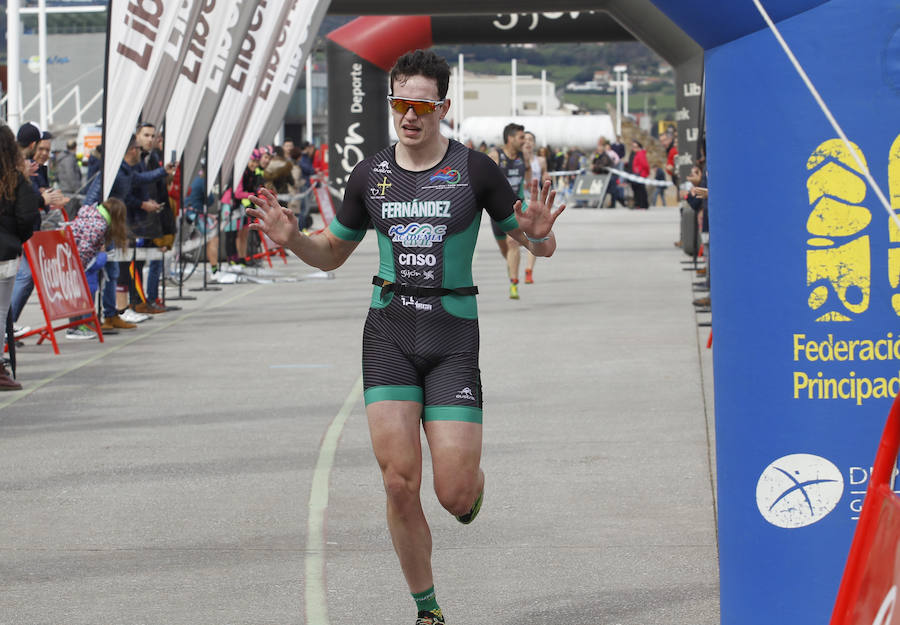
<point x="241" y="84"/>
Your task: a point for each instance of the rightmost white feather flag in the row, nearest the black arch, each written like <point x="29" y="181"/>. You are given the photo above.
<point x="280" y="74"/>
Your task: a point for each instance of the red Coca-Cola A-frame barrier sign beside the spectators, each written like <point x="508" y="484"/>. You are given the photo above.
<point x="60" y="282"/>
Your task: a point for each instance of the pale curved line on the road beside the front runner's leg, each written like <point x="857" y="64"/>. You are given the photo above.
<point x="315" y="591"/>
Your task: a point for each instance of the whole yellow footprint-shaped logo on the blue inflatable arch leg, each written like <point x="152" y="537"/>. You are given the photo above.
<point x="838" y="265"/>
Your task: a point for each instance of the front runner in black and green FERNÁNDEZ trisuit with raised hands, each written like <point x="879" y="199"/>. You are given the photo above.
<point x="424" y="197"/>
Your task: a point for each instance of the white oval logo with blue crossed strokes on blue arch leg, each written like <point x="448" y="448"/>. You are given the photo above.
<point x="798" y="490"/>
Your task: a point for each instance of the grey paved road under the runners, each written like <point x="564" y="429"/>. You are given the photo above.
<point x="214" y="466"/>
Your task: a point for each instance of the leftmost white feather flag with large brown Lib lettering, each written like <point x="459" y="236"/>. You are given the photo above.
<point x="134" y="48"/>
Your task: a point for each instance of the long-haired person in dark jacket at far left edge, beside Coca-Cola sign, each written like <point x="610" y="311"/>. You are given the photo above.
<point x="18" y="216"/>
